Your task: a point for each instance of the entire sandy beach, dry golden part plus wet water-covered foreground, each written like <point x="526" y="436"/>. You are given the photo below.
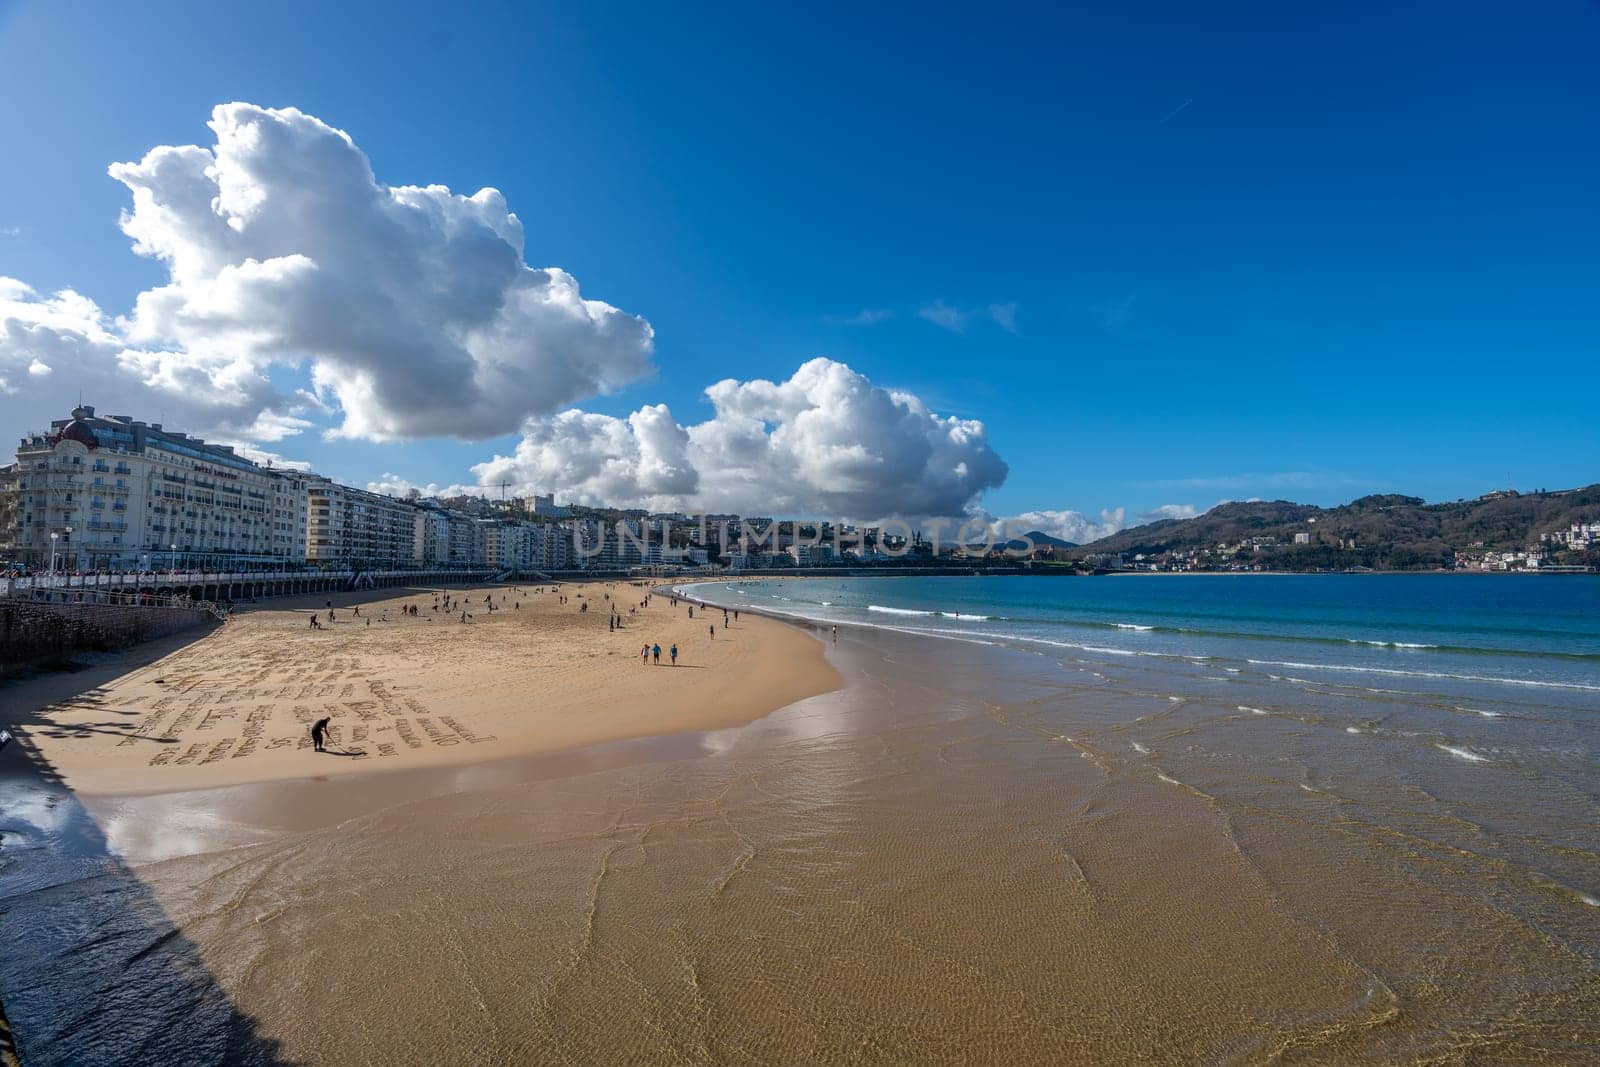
<point x="962" y="855"/>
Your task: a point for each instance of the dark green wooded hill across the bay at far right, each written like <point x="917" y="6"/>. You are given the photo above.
<point x="1386" y="532"/>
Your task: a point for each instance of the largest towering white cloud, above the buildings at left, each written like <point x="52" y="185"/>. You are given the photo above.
<point x="412" y="308"/>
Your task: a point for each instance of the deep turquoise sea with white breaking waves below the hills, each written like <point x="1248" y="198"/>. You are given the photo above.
<point x="1425" y="629"/>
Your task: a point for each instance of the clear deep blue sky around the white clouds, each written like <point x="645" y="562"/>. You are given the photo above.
<point x="1191" y="252"/>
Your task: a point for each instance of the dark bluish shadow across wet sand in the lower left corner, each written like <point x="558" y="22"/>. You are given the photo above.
<point x="92" y="970"/>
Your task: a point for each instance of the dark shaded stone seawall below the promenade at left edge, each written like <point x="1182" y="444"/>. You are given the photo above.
<point x="34" y="633"/>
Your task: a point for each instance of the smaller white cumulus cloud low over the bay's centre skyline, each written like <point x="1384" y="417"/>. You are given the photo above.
<point x="825" y="442"/>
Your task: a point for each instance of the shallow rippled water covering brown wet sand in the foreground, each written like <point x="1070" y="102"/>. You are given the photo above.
<point x="978" y="853"/>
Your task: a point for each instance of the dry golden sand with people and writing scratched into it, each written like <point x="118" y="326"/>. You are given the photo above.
<point x="409" y="692"/>
